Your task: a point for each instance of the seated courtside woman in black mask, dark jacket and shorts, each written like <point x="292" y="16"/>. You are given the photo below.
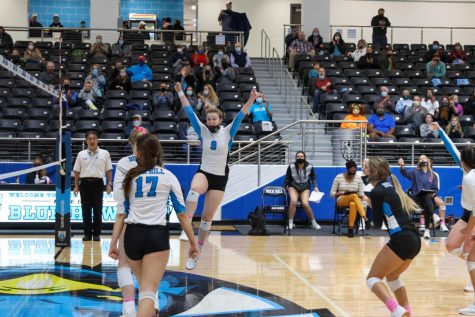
<point x="299" y="179"/>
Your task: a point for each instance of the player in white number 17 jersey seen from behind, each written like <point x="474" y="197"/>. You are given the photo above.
<point x="146" y="191"/>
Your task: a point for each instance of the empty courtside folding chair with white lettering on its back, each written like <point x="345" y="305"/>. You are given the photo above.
<point x="275" y="202"/>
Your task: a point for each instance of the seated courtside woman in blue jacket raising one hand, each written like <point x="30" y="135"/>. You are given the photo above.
<point x="424" y="187"/>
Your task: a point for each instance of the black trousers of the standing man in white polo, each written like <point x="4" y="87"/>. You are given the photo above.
<point x="91" y="198"/>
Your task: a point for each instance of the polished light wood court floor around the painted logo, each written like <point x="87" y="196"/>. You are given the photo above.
<point x="313" y="272"/>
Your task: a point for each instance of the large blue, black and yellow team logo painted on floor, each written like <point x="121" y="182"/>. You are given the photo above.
<point x="73" y="291"/>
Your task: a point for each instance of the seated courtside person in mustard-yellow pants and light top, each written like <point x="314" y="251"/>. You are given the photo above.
<point x="348" y="189"/>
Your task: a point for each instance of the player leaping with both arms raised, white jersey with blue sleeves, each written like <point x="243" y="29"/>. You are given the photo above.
<point x="212" y="176"/>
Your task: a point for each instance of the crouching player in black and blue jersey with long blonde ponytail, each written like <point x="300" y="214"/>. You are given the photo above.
<point x="392" y="205"/>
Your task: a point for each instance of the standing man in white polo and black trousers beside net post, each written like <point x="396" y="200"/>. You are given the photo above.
<point x="90" y="168"/>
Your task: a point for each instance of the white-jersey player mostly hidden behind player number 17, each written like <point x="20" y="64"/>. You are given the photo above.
<point x="124" y="274"/>
